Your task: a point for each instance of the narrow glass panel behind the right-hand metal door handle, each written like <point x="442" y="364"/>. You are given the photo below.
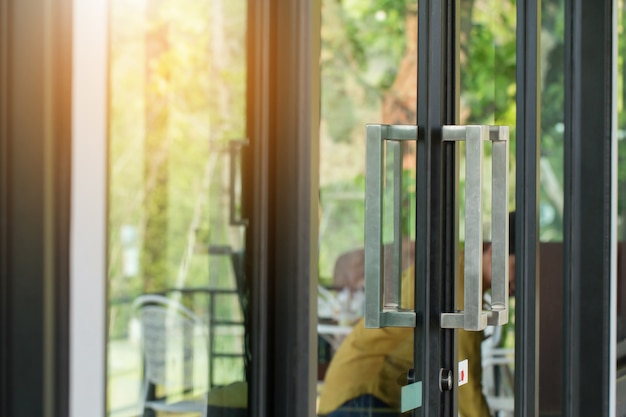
<point x="487" y="97"/>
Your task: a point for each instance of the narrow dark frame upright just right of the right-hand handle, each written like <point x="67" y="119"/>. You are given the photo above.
<point x="527" y="208"/>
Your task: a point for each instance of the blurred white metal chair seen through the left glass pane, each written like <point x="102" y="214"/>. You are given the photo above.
<point x="172" y="338"/>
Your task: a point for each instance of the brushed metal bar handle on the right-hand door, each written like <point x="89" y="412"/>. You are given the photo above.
<point x="473" y="317"/>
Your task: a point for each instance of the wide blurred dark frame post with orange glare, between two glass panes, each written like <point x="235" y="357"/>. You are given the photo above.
<point x="281" y="199"/>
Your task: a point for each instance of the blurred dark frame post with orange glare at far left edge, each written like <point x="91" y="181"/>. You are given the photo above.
<point x="35" y="155"/>
